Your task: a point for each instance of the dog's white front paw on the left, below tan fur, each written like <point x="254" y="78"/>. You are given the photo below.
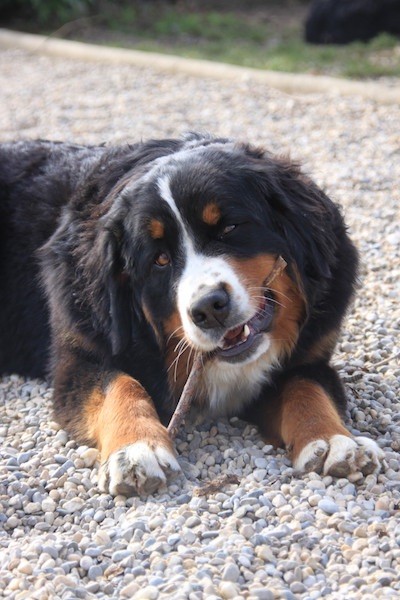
<point x="138" y="468"/>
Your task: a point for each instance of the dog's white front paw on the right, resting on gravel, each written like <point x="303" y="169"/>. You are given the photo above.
<point x="340" y="456"/>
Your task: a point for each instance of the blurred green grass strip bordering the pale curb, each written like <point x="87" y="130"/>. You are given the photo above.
<point x="288" y="54"/>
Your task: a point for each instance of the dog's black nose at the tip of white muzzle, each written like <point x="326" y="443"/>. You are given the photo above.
<point x="211" y="310"/>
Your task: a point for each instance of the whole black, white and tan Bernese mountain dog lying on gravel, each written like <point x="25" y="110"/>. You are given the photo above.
<point x="118" y="264"/>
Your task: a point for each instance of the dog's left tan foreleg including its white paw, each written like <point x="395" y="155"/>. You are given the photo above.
<point x="136" y="451"/>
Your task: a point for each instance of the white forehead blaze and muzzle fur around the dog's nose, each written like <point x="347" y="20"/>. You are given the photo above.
<point x="202" y="271"/>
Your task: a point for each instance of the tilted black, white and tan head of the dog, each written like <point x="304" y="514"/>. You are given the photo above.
<point x="197" y="233"/>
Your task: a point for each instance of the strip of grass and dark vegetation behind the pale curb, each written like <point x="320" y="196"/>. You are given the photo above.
<point x="259" y="36"/>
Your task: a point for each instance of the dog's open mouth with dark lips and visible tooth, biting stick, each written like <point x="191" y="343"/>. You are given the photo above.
<point x="245" y="337"/>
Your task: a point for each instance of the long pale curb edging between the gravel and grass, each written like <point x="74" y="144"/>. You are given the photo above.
<point x="286" y="82"/>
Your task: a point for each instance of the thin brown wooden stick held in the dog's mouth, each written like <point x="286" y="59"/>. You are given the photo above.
<point x="183" y="406"/>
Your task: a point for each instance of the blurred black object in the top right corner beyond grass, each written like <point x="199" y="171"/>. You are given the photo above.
<point x="344" y="21"/>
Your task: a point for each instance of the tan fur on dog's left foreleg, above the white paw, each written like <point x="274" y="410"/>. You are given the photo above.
<point x="123" y="415"/>
